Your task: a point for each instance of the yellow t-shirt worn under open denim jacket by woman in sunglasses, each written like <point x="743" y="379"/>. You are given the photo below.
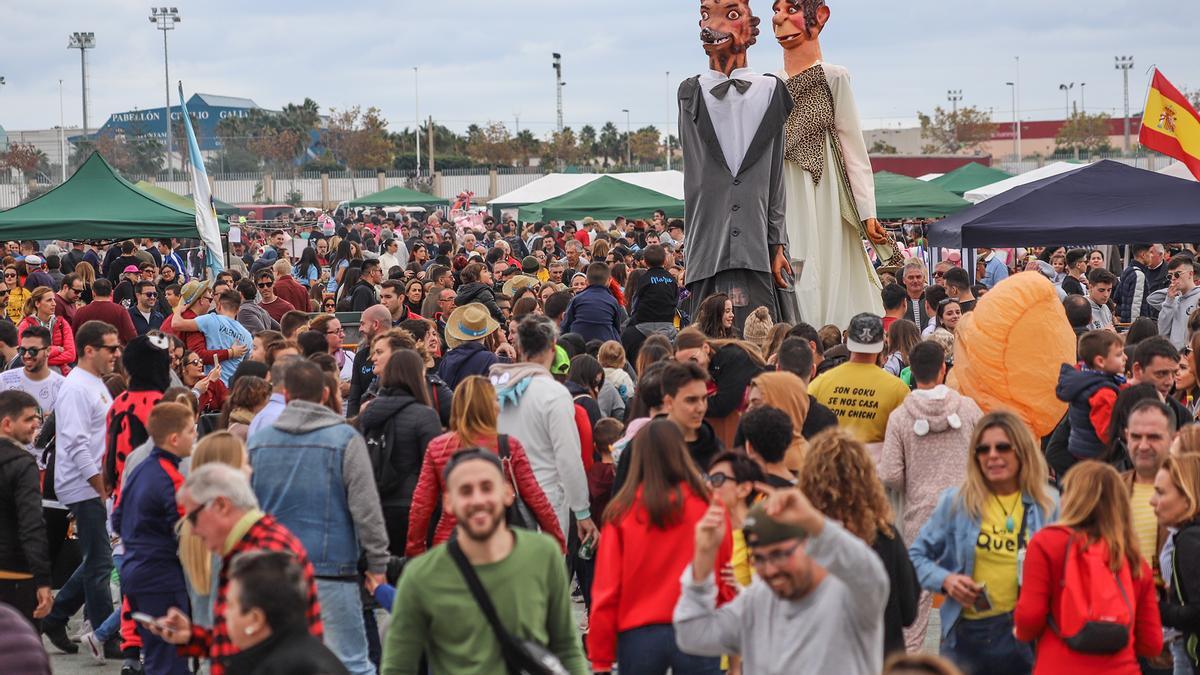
<point x="997" y="554"/>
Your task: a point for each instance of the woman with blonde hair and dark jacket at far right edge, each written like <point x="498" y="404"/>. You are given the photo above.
<point x="1177" y="504"/>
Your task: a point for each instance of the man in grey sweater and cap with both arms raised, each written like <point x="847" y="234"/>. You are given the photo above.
<point x="821" y="602"/>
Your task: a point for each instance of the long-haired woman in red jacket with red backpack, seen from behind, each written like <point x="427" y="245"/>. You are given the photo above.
<point x="1096" y="523"/>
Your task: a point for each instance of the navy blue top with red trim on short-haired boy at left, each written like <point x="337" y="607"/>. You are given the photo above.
<point x="146" y="518"/>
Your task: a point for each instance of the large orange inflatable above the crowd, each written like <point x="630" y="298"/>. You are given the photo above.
<point x="1007" y="353"/>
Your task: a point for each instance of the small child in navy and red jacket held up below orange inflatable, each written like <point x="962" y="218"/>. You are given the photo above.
<point x="1093" y="391"/>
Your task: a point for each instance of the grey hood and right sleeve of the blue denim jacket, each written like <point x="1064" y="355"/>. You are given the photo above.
<point x="363" y="498"/>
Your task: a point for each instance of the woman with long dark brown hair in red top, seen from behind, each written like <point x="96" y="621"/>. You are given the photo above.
<point x="646" y="542"/>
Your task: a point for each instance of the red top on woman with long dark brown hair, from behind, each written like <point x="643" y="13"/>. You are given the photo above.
<point x="638" y="574"/>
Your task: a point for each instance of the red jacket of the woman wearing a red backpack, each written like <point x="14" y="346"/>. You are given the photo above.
<point x="1042" y="599"/>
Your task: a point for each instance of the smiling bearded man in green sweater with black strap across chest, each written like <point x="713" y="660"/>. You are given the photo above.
<point x="520" y="571"/>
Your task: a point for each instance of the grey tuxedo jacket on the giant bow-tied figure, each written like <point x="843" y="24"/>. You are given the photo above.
<point x="733" y="222"/>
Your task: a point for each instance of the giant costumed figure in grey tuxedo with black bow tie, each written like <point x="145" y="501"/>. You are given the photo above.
<point x="731" y="129"/>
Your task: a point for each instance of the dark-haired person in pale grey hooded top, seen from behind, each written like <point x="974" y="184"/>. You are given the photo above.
<point x="533" y="407"/>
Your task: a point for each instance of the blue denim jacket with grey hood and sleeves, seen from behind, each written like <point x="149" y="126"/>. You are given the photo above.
<point x="314" y="475"/>
